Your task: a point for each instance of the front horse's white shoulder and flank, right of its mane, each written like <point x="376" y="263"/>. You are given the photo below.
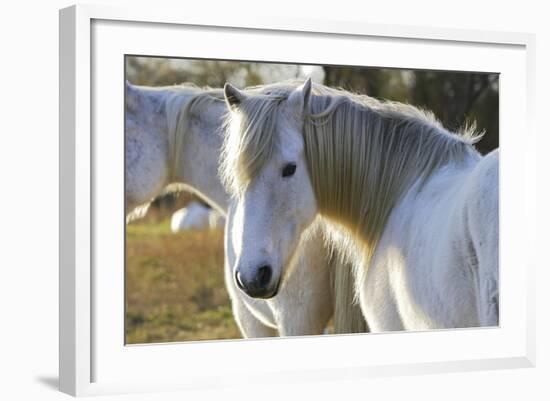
<point x="425" y="272"/>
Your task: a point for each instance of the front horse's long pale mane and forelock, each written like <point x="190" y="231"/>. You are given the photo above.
<point x="363" y="154"/>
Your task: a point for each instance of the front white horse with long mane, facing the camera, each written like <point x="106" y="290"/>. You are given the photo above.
<point x="413" y="205"/>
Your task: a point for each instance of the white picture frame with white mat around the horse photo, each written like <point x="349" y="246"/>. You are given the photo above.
<point x="93" y="357"/>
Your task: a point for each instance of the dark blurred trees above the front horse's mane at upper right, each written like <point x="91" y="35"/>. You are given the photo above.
<point x="456" y="98"/>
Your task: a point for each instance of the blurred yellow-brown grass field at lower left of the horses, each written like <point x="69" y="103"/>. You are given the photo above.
<point x="175" y="288"/>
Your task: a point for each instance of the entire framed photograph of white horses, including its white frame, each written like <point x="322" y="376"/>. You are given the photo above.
<point x="180" y="299"/>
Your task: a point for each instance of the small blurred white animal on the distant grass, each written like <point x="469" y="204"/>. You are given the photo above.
<point x="195" y="216"/>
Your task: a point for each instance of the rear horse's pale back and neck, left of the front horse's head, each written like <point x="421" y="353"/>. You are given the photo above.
<point x="169" y="143"/>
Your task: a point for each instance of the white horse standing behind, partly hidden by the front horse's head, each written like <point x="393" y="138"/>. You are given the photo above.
<point x="174" y="136"/>
